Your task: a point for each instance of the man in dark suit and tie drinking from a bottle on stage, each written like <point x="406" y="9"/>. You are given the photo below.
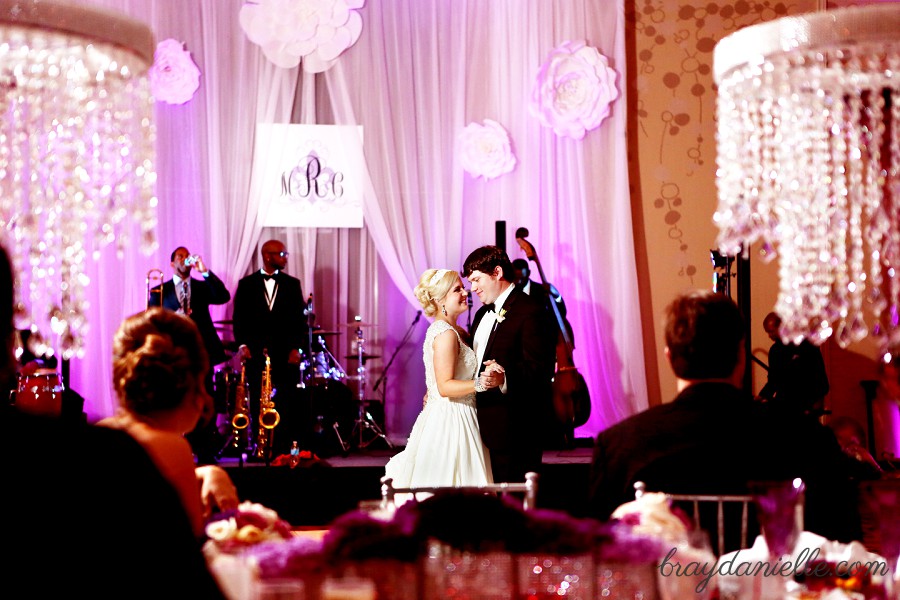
<point x="193" y="297"/>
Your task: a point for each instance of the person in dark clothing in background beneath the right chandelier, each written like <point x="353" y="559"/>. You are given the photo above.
<point x="797" y="379"/>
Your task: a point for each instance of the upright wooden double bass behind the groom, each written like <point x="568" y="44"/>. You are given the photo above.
<point x="571" y="399"/>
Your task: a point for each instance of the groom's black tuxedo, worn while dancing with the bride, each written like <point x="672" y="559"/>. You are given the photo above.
<point x="524" y="345"/>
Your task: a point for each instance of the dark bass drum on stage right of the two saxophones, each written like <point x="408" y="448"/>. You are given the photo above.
<point x="333" y="409"/>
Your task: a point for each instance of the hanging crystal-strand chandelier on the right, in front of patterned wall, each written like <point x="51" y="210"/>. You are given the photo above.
<point x="808" y="163"/>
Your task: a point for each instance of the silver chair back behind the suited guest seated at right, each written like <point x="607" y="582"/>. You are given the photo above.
<point x="720" y="515"/>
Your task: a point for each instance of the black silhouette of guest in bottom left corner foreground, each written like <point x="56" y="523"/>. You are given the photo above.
<point x="91" y="494"/>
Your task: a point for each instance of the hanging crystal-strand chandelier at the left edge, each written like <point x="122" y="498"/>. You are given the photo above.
<point x="76" y="154"/>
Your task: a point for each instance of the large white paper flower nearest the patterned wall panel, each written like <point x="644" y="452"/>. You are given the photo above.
<point x="573" y="90"/>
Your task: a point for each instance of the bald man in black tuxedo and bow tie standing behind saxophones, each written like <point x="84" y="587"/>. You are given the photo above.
<point x="269" y="317"/>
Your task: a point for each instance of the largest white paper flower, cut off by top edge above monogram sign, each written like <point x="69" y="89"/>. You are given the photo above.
<point x="317" y="31"/>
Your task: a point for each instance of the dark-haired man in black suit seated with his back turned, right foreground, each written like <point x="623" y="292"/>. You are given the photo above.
<point x="713" y="437"/>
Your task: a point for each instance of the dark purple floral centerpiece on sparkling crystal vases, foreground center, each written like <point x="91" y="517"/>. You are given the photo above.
<point x="467" y="542"/>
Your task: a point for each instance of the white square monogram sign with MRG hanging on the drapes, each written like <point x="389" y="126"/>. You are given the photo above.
<point x="309" y="175"/>
